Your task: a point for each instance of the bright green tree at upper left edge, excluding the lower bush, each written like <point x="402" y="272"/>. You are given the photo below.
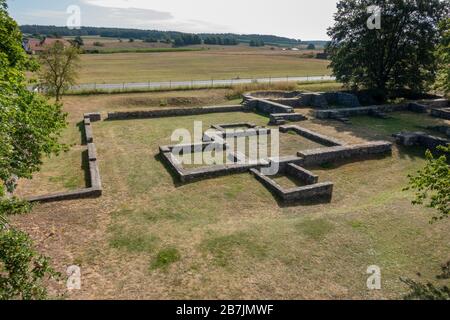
<point x="29" y="125"/>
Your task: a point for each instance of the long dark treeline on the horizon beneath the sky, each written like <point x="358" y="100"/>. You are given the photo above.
<point x="178" y="38"/>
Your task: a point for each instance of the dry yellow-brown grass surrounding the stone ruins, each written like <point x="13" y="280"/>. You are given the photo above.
<point x="150" y="237"/>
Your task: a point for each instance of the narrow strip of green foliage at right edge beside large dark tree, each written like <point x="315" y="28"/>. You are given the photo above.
<point x="443" y="56"/>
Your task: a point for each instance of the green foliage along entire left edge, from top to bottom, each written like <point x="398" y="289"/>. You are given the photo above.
<point x="29" y="128"/>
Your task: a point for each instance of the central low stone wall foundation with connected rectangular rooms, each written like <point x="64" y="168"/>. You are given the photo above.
<point x="290" y="165"/>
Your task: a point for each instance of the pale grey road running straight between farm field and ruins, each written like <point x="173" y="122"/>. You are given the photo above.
<point x="194" y="83"/>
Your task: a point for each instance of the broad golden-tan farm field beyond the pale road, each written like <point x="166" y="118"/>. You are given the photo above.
<point x="217" y="63"/>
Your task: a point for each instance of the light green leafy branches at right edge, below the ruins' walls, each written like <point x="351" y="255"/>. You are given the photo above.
<point x="432" y="184"/>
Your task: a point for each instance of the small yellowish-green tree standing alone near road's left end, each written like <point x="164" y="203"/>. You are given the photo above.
<point x="60" y="65"/>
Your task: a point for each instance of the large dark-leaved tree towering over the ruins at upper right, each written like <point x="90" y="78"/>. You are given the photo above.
<point x="398" y="55"/>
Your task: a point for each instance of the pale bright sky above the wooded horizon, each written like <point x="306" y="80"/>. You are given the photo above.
<point x="299" y="19"/>
